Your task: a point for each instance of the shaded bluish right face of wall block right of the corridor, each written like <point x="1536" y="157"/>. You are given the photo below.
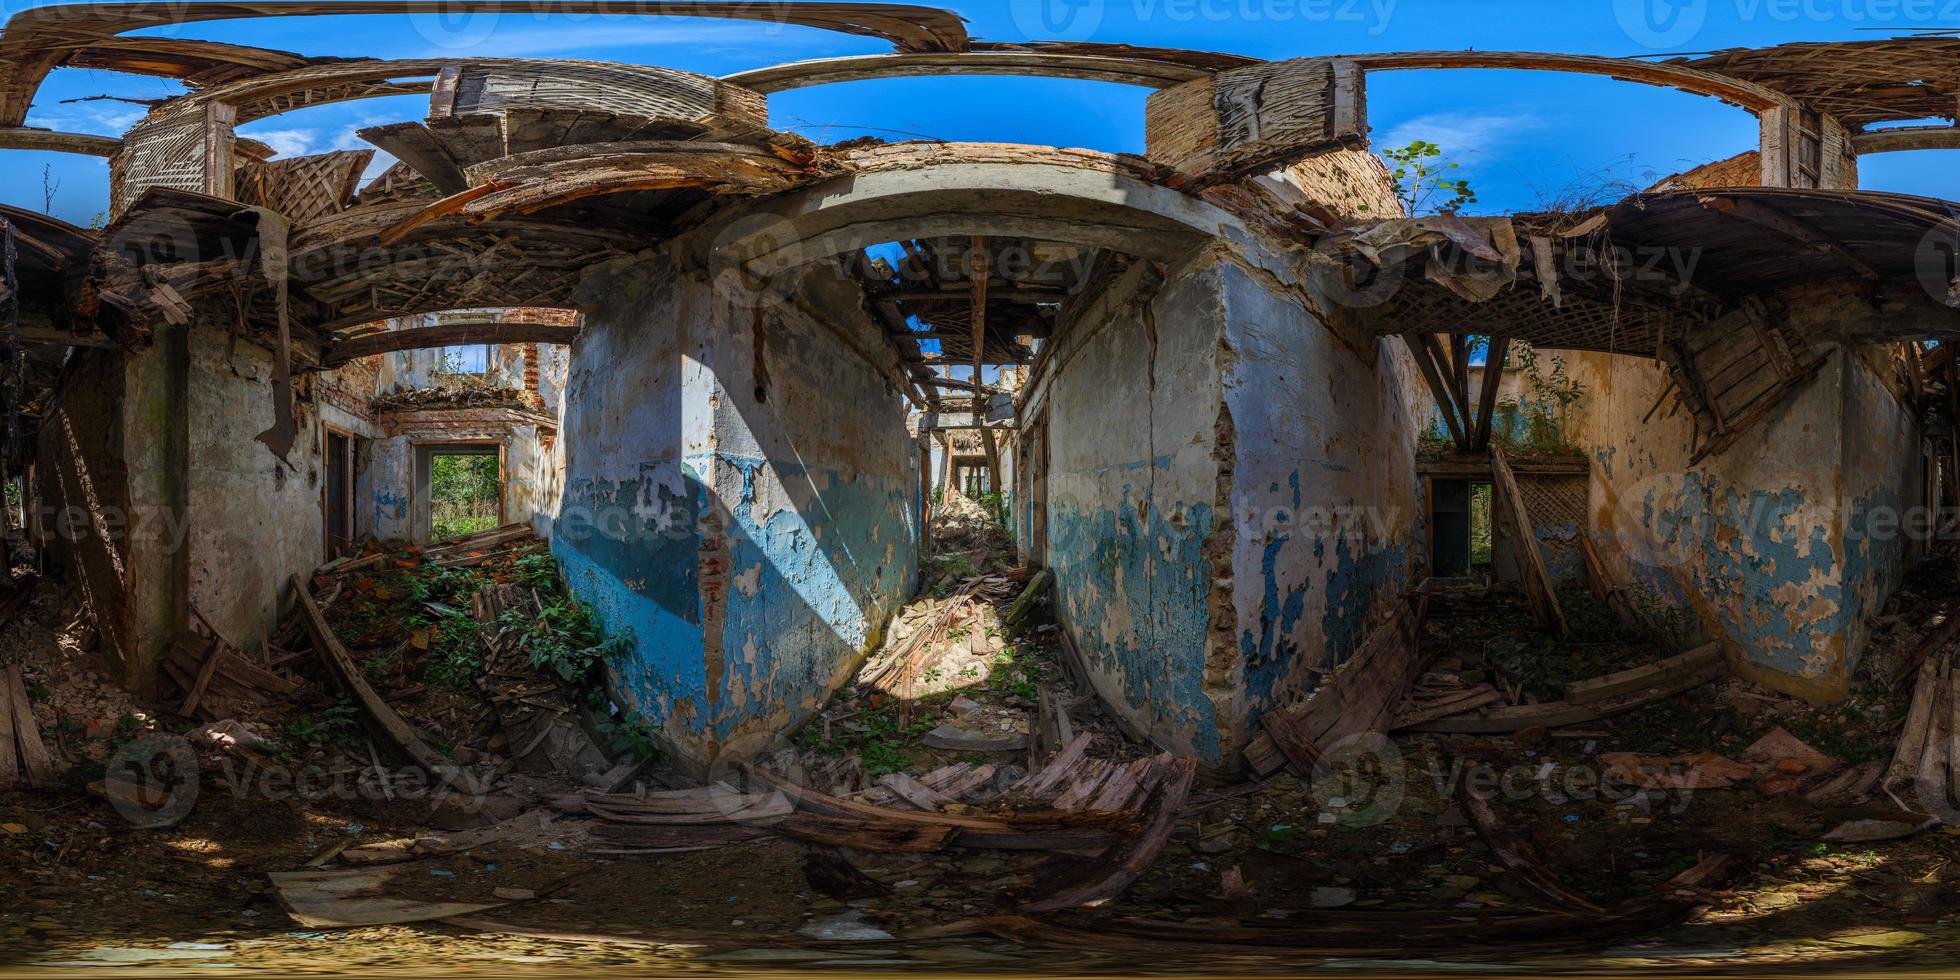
<point x="1324" y="489"/>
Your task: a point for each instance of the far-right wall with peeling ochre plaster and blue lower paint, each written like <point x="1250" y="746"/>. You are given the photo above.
<point x="1769" y="544"/>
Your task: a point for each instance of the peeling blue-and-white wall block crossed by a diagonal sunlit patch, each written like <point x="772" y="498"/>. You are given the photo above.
<point x="740" y="495"/>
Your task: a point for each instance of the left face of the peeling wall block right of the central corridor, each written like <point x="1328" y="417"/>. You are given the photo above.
<point x="1136" y="501"/>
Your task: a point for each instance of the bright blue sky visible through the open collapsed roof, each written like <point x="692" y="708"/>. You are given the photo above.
<point x="1524" y="140"/>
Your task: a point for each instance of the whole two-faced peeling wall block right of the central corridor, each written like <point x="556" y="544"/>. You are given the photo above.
<point x="1230" y="497"/>
